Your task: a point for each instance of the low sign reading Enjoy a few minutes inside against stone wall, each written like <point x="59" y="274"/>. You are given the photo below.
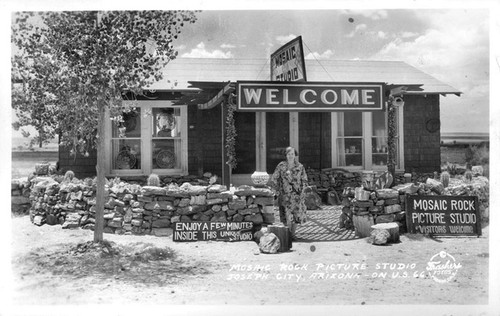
<point x="218" y="231"/>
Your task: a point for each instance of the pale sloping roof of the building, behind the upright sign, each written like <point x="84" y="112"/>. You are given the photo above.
<point x="213" y="74"/>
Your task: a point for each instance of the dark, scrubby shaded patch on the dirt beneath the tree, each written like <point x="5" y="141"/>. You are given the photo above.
<point x="133" y="263"/>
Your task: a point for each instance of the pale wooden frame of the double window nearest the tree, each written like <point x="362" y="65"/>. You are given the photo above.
<point x="147" y="139"/>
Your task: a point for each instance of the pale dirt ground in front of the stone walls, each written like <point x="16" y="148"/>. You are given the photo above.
<point x="352" y="272"/>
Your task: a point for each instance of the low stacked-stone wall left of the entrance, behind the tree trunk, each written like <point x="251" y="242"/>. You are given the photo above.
<point x="136" y="209"/>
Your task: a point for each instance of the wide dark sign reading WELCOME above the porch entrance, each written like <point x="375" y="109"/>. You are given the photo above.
<point x="309" y="96"/>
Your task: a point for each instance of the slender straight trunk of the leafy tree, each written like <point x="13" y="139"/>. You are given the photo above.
<point x="100" y="168"/>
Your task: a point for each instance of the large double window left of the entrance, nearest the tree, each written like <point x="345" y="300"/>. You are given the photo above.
<point x="151" y="139"/>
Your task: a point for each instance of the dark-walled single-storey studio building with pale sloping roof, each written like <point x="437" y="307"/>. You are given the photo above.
<point x="178" y="127"/>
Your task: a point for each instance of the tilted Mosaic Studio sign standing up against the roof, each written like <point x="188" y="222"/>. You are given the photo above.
<point x="287" y="63"/>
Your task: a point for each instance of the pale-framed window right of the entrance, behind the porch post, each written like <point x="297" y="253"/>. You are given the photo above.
<point x="361" y="140"/>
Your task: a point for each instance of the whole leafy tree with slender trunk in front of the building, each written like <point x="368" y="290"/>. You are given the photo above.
<point x="70" y="67"/>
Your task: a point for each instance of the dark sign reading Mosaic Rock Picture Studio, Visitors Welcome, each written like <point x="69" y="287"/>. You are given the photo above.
<point x="443" y="215"/>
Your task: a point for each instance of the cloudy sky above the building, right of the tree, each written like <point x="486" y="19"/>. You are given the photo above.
<point x="450" y="44"/>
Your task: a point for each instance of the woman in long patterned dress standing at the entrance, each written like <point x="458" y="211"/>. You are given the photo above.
<point x="289" y="181"/>
